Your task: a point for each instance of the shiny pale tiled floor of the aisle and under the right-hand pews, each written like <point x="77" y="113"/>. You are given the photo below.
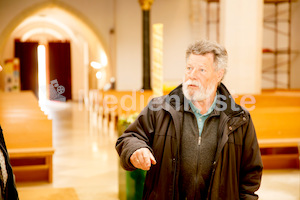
<point x="85" y="159"/>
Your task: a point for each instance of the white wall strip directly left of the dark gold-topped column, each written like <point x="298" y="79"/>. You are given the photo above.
<point x="128" y="45"/>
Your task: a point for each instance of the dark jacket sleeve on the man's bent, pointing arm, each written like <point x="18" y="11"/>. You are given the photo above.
<point x="138" y="135"/>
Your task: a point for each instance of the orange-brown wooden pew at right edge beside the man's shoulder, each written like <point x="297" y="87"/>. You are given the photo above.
<point x="276" y="119"/>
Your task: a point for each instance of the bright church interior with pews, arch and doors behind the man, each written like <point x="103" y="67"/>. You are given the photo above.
<point x="74" y="74"/>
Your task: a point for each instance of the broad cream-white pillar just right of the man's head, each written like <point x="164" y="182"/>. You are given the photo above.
<point x="241" y="33"/>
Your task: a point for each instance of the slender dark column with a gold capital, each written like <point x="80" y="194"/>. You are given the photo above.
<point x="146" y="6"/>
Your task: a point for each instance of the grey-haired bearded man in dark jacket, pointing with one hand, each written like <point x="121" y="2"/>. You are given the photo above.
<point x="195" y="142"/>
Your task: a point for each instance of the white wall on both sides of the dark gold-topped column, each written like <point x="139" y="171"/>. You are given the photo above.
<point x="174" y="15"/>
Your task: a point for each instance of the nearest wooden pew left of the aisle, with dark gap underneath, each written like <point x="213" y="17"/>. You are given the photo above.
<point x="29" y="144"/>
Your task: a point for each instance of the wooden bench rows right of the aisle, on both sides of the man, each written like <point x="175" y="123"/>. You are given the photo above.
<point x="275" y="116"/>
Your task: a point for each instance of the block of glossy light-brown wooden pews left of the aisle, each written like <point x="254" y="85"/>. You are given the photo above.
<point x="28" y="136"/>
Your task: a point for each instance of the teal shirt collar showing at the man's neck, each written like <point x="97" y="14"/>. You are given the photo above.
<point x="201" y="118"/>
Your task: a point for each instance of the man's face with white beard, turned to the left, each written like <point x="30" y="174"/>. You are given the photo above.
<point x="201" y="79"/>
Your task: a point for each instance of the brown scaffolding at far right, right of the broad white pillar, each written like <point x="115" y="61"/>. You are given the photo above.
<point x="279" y="22"/>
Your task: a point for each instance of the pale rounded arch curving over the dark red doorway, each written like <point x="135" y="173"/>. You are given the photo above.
<point x="62" y="22"/>
